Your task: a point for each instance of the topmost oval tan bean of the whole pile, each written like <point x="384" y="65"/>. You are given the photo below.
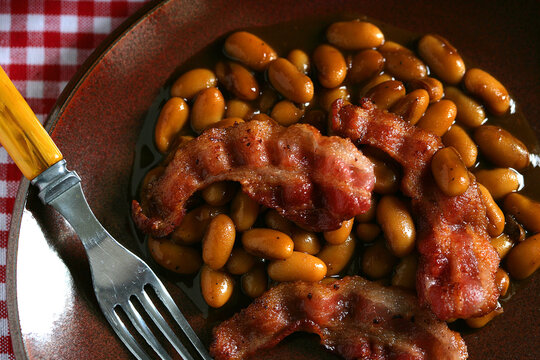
<point x="354" y="35"/>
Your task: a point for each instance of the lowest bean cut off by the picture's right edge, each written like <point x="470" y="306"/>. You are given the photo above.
<point x="524" y="258"/>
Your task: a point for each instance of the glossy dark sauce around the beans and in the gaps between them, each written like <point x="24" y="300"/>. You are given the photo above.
<point x="307" y="35"/>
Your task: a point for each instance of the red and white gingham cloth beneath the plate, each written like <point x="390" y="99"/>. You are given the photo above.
<point x="42" y="43"/>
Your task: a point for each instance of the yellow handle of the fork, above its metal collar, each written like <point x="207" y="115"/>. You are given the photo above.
<point x="21" y="133"/>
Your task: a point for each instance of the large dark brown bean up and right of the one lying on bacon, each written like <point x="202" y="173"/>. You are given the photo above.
<point x="501" y="147"/>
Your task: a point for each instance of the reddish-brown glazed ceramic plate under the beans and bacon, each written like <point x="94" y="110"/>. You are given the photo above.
<point x="52" y="310"/>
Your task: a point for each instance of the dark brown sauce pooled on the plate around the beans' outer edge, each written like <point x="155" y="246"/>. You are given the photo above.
<point x="306" y="35"/>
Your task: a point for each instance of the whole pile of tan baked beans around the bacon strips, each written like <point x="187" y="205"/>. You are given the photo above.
<point x="234" y="242"/>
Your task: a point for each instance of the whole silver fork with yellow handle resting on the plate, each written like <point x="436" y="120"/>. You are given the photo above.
<point x="119" y="277"/>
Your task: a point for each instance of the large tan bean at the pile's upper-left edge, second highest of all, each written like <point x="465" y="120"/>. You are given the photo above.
<point x="250" y="50"/>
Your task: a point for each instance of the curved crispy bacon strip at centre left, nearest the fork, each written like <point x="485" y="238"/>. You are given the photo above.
<point x="313" y="180"/>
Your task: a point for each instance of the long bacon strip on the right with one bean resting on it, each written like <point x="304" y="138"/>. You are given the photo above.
<point x="456" y="273"/>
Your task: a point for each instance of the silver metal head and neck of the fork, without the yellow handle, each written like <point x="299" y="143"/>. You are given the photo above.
<point x="118" y="275"/>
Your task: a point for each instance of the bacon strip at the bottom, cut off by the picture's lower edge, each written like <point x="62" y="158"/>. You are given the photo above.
<point x="355" y="318"/>
